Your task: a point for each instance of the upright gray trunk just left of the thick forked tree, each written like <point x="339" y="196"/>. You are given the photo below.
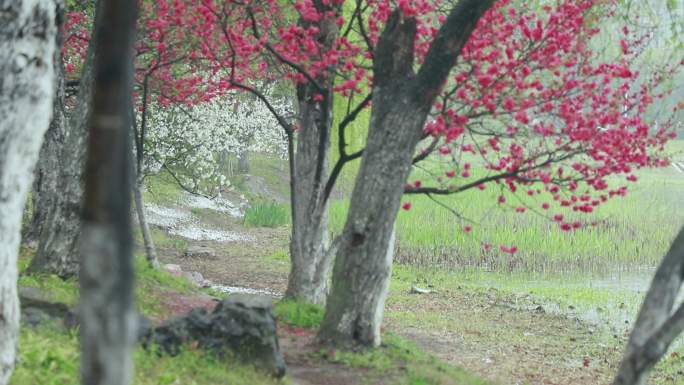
<point x="310" y="256"/>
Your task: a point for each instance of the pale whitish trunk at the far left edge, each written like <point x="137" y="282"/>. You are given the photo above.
<point x="27" y="49"/>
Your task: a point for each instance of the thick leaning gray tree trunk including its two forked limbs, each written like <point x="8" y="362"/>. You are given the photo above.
<point x="401" y="102"/>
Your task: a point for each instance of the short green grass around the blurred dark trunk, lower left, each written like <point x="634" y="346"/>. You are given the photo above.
<point x="50" y="355"/>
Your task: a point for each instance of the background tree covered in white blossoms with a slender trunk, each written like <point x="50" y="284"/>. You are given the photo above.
<point x="189" y="142"/>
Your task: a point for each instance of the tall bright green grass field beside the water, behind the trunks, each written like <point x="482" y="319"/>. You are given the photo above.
<point x="430" y="235"/>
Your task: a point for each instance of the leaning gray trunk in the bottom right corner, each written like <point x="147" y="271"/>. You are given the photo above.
<point x="658" y="322"/>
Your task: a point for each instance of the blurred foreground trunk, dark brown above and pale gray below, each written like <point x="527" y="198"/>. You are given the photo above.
<point x="107" y="316"/>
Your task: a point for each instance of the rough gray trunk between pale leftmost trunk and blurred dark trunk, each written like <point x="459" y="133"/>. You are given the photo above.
<point x="59" y="194"/>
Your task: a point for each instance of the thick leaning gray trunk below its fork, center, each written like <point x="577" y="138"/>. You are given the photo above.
<point x="363" y="265"/>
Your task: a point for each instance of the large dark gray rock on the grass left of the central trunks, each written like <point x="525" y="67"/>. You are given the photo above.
<point x="242" y="326"/>
